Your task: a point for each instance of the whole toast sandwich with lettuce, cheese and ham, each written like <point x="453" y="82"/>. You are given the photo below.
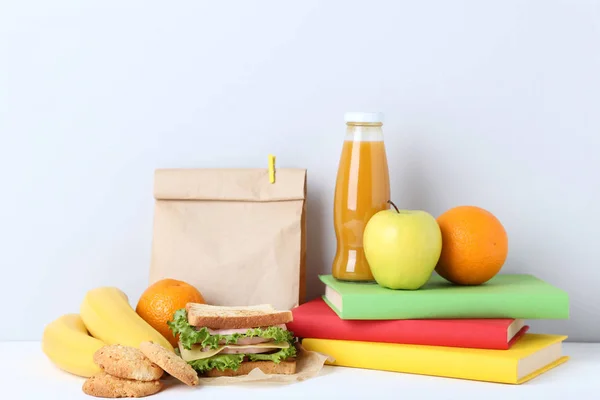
<point x="232" y="341"/>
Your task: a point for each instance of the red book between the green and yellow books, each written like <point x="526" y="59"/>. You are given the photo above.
<point x="316" y="320"/>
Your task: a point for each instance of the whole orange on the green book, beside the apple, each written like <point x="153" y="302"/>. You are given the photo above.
<point x="474" y="245"/>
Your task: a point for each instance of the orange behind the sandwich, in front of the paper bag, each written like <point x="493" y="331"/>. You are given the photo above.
<point x="160" y="300"/>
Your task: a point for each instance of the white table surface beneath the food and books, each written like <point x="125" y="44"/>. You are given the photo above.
<point x="26" y="373"/>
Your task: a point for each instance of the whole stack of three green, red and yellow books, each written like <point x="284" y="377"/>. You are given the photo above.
<point x="466" y="332"/>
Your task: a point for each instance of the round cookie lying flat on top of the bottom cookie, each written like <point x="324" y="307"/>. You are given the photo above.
<point x="127" y="362"/>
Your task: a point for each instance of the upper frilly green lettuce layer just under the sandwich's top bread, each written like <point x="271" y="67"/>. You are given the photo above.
<point x="189" y="335"/>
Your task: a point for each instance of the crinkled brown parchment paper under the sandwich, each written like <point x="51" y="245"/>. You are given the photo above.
<point x="309" y="364"/>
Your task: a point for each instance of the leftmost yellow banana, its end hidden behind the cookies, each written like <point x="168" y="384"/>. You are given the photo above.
<point x="68" y="345"/>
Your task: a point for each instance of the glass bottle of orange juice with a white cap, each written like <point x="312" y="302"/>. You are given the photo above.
<point x="362" y="189"/>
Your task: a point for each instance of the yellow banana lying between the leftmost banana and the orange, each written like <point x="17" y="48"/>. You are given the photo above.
<point x="109" y="317"/>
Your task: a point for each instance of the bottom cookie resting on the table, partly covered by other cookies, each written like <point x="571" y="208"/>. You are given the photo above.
<point x="105" y="385"/>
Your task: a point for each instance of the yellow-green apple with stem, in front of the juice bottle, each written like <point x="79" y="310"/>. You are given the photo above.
<point x="402" y="247"/>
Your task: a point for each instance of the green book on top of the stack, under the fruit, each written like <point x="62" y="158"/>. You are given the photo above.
<point x="517" y="296"/>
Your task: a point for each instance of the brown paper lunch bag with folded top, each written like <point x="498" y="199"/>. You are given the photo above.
<point x="234" y="235"/>
